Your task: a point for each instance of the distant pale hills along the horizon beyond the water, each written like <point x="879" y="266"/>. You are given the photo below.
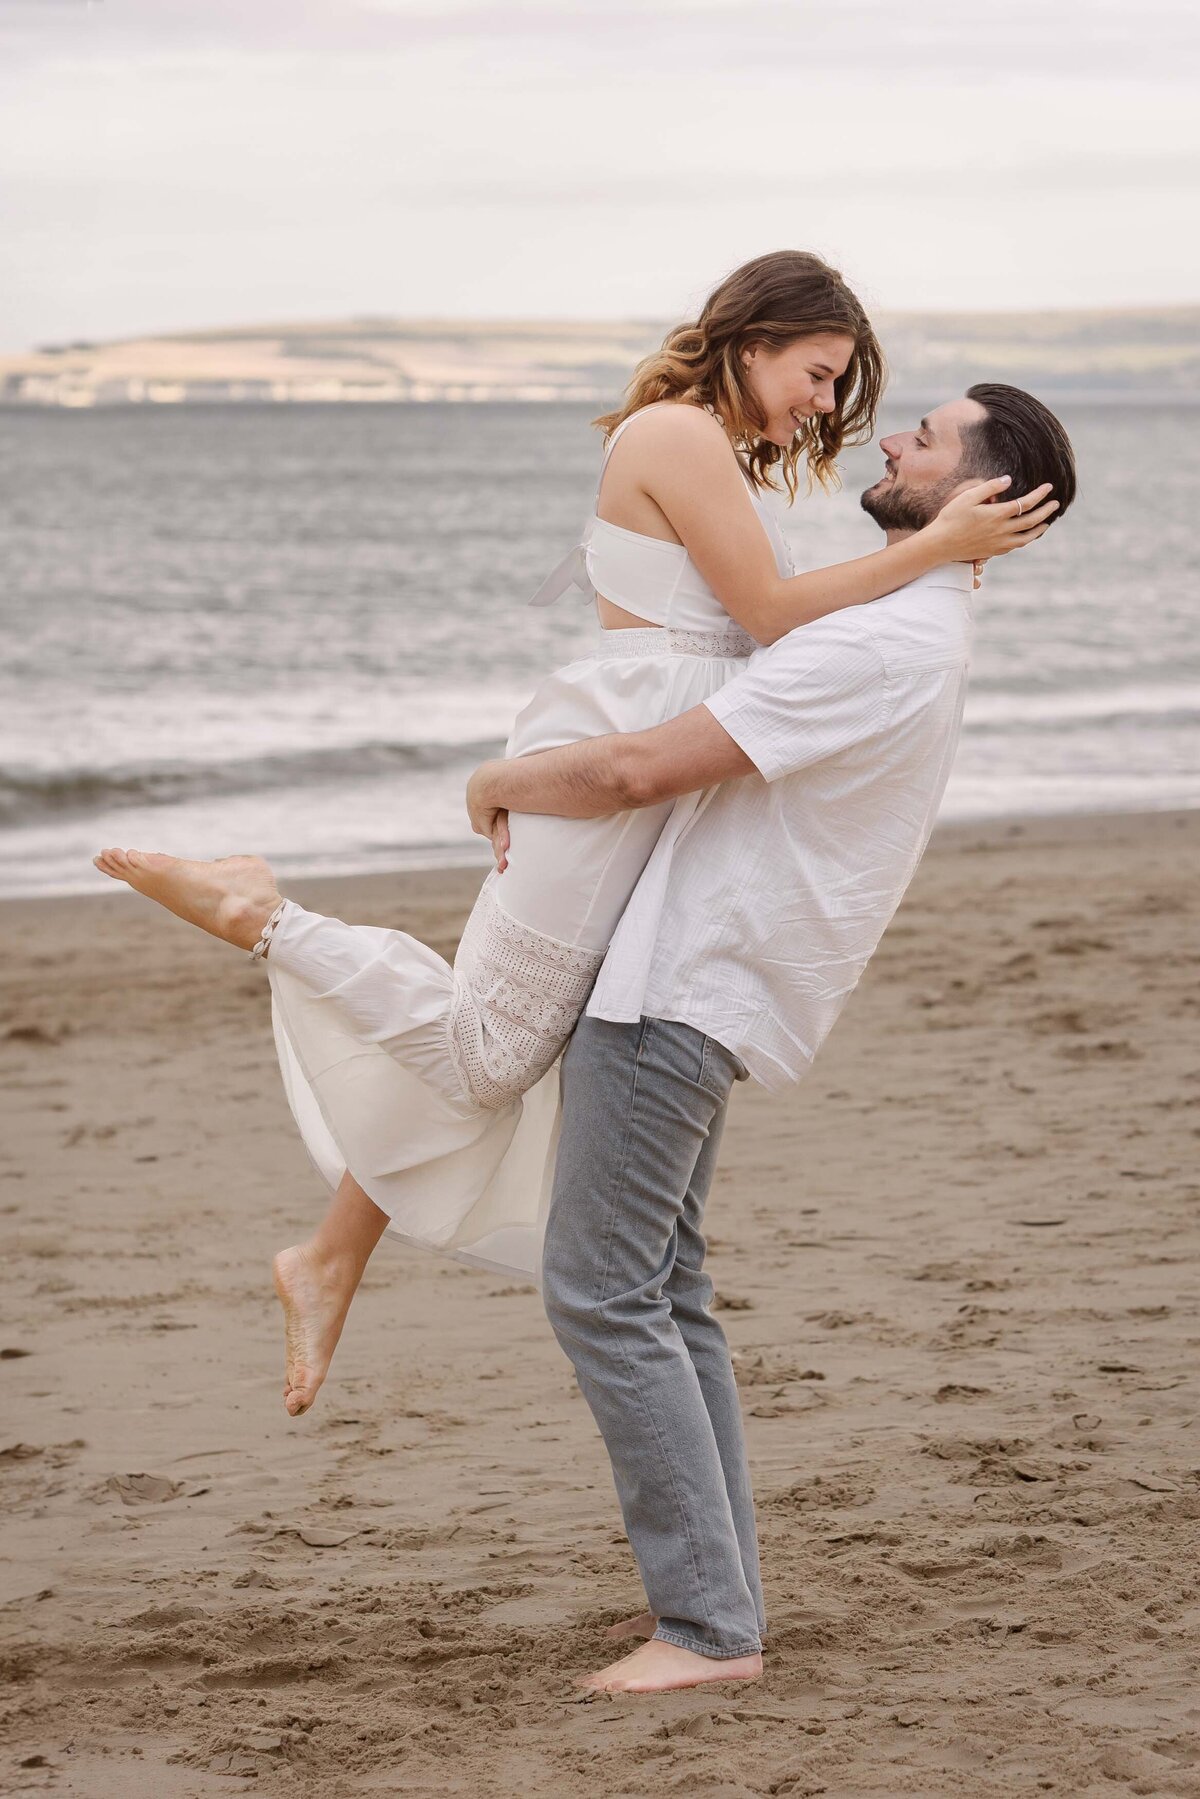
<point x="1147" y="354"/>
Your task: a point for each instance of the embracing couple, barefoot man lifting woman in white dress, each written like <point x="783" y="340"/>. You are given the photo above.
<point x="703" y="828"/>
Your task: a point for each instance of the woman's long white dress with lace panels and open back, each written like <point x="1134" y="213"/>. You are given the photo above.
<point x="434" y="1084"/>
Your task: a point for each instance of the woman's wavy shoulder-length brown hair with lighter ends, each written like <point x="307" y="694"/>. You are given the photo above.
<point x="775" y="301"/>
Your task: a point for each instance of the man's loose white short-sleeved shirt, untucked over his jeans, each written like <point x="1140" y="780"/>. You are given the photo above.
<point x="766" y="899"/>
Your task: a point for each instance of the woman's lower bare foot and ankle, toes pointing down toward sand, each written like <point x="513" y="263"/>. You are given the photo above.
<point x="316" y="1284"/>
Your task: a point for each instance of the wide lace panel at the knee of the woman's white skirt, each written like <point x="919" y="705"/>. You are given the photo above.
<point x="517" y="998"/>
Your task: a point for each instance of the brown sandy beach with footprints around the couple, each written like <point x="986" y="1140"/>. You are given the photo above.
<point x="960" y="1271"/>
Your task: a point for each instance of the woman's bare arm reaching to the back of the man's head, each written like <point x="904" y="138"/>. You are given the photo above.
<point x="690" y="474"/>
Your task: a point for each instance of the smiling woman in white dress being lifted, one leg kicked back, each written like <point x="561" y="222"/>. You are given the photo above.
<point x="427" y="1095"/>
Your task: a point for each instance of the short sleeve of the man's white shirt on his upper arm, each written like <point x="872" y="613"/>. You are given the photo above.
<point x="809" y="697"/>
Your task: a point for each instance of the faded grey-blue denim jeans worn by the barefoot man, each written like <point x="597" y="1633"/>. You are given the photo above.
<point x="625" y="1291"/>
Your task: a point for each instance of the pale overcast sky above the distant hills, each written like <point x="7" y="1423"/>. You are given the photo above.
<point x="170" y="165"/>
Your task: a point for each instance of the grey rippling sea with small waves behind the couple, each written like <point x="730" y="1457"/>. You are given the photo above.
<point x="298" y="629"/>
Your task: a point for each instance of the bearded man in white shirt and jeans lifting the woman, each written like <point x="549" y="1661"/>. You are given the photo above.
<point x="827" y="762"/>
